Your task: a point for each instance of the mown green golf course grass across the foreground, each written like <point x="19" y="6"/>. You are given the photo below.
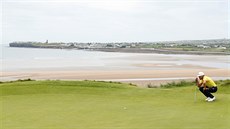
<point x="104" y="105"/>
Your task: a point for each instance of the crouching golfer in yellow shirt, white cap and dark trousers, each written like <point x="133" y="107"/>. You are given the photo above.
<point x="206" y="86"/>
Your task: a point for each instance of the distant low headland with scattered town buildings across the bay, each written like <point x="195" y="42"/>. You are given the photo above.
<point x="214" y="46"/>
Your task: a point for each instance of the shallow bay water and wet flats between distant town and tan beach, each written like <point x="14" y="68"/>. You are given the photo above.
<point x="29" y="59"/>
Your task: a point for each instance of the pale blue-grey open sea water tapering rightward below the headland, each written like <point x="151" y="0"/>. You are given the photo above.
<point x="34" y="58"/>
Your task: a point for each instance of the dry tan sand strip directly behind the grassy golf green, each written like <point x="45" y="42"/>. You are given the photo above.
<point x="141" y="78"/>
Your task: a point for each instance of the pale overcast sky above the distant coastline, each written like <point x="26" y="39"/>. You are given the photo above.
<point x="113" y="20"/>
